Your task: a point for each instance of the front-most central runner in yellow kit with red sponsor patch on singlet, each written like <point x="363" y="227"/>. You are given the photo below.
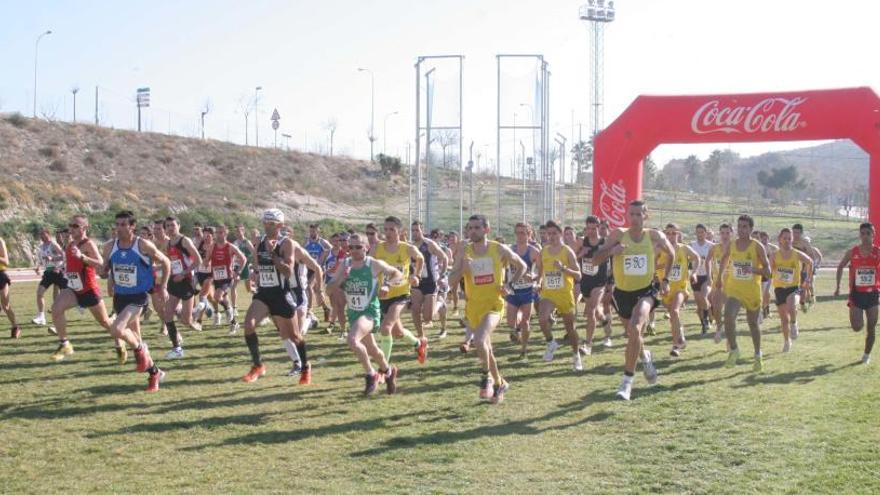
<point x="481" y="263"/>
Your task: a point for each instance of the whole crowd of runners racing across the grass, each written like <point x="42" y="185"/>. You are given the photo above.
<point x="365" y="281"/>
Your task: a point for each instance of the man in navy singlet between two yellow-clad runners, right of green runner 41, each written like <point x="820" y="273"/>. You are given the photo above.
<point x="424" y="295"/>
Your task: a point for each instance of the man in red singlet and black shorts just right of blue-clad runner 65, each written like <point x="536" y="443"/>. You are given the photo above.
<point x="185" y="257"/>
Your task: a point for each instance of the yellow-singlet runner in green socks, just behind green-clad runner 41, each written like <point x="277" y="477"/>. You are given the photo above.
<point x="393" y="297"/>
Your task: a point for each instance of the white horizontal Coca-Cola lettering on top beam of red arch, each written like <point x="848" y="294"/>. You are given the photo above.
<point x="774" y="114"/>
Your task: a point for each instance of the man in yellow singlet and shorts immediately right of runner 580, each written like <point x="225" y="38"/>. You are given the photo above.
<point x="679" y="285"/>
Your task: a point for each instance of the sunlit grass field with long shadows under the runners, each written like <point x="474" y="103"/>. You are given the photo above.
<point x="808" y="424"/>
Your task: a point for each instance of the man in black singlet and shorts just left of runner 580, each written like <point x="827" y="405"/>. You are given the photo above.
<point x="594" y="279"/>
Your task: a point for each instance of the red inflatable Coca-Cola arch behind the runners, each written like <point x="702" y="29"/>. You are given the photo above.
<point x="652" y="120"/>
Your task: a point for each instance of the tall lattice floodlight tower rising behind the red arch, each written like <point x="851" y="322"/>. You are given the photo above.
<point x="597" y="13"/>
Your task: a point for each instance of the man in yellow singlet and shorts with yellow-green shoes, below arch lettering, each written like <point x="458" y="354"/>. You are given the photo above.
<point x="746" y="261"/>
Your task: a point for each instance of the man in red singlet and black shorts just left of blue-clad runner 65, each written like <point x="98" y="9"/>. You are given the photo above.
<point x="83" y="258"/>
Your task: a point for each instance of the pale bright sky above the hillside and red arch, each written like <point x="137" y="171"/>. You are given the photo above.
<point x="305" y="55"/>
